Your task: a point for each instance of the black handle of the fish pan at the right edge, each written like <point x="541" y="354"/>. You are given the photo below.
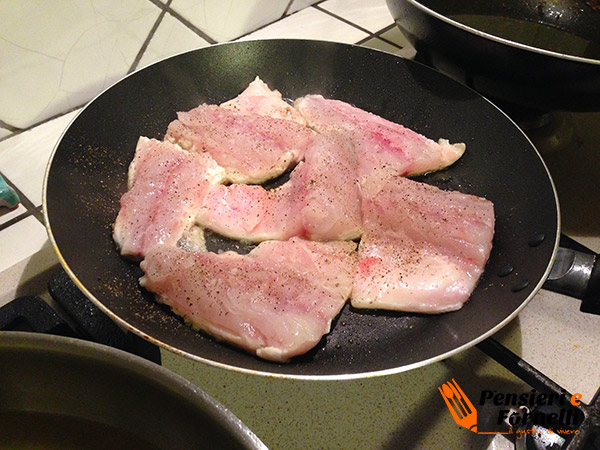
<point x="576" y="272"/>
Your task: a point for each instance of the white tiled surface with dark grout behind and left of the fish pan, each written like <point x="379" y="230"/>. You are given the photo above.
<point x="82" y="48"/>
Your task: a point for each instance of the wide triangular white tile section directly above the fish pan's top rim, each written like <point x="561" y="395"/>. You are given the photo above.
<point x="310" y="23"/>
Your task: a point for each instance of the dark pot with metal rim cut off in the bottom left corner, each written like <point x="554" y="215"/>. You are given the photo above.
<point x="58" y="392"/>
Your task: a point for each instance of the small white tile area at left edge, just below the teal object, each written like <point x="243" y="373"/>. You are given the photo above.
<point x="21" y="240"/>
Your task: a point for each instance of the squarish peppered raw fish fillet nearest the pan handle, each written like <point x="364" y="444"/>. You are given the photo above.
<point x="423" y="249"/>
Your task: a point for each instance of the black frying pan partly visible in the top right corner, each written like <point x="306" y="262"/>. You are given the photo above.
<point x="531" y="53"/>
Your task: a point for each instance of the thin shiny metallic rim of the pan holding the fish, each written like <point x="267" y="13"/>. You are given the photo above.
<point x="242" y="370"/>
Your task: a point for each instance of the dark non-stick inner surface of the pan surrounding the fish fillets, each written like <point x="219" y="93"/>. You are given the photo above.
<point x="87" y="177"/>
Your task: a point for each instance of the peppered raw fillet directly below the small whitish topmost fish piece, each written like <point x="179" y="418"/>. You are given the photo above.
<point x="250" y="147"/>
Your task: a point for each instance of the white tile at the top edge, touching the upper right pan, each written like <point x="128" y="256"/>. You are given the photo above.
<point x="373" y="15"/>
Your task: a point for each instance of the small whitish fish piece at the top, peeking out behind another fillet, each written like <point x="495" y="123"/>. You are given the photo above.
<point x="257" y="98"/>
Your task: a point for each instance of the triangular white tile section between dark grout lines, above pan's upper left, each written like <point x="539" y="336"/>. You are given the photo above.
<point x="170" y="38"/>
